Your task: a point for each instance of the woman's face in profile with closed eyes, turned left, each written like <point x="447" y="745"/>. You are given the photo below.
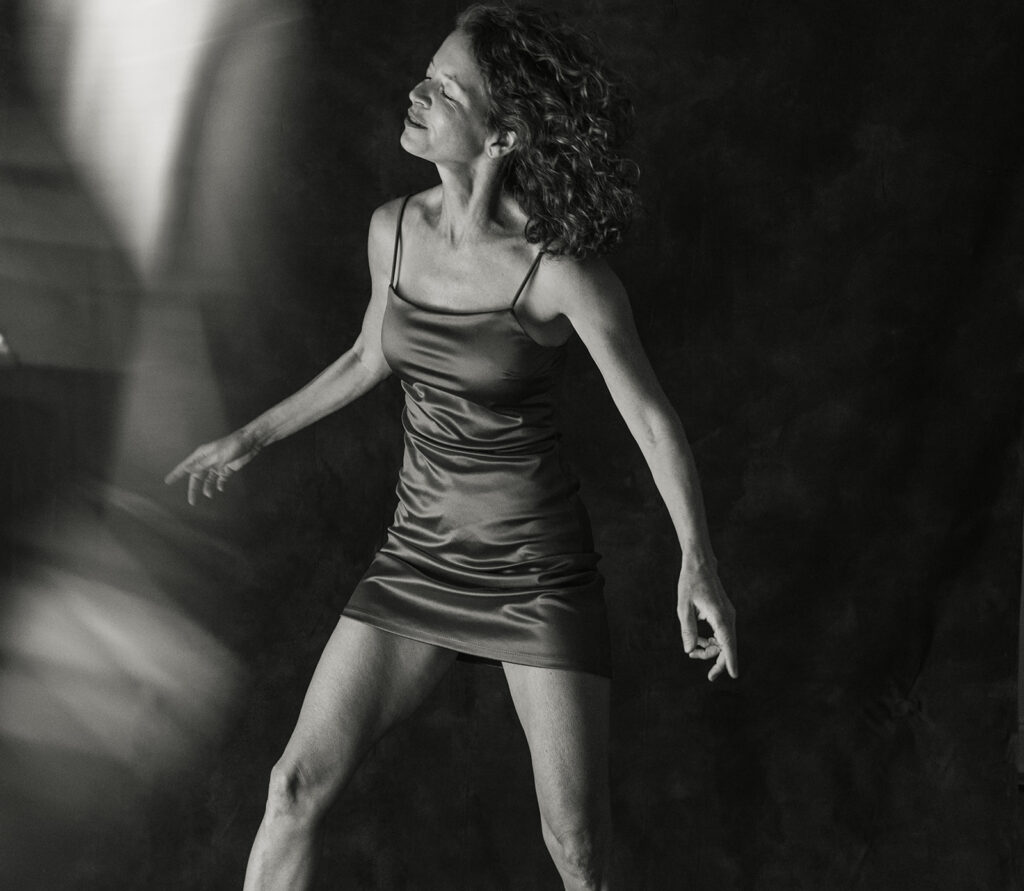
<point x="446" y="119"/>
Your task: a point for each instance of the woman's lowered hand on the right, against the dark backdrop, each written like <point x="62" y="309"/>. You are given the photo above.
<point x="702" y="598"/>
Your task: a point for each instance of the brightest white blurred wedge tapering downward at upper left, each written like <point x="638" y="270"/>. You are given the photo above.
<point x="122" y="79"/>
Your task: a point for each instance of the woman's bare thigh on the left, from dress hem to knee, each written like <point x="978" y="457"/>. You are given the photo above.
<point x="366" y="682"/>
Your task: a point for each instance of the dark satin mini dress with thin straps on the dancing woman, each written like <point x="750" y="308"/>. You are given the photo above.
<point x="490" y="553"/>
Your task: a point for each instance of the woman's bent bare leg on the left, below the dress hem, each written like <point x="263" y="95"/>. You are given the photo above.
<point x="366" y="682"/>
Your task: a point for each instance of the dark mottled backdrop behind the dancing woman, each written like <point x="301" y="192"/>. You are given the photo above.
<point x="828" y="278"/>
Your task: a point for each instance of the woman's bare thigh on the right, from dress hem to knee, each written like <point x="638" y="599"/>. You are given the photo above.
<point x="565" y="715"/>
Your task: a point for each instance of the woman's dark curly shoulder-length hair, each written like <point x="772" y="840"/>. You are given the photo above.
<point x="571" y="114"/>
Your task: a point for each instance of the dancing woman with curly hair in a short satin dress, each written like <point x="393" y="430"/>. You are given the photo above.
<point x="478" y="285"/>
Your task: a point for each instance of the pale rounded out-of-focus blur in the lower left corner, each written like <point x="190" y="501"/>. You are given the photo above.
<point x="98" y="661"/>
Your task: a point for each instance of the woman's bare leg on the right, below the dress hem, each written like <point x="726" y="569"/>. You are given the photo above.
<point x="566" y="717"/>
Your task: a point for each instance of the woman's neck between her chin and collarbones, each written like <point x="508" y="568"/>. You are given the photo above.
<point x="473" y="203"/>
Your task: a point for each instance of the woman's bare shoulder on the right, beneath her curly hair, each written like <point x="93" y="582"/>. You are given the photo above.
<point x="586" y="290"/>
